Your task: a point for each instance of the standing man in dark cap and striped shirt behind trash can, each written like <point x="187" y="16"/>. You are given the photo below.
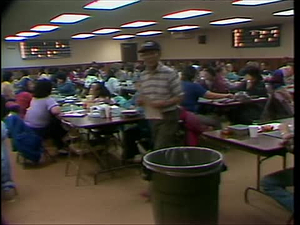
<point x="160" y="95"/>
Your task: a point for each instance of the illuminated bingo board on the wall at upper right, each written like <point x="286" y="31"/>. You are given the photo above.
<point x="262" y="36"/>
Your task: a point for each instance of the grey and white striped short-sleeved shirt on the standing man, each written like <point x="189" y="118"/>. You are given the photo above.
<point x="161" y="84"/>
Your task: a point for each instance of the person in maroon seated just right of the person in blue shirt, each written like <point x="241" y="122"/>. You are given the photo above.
<point x="213" y="80"/>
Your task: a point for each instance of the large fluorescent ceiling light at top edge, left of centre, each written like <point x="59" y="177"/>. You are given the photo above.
<point x="109" y="4"/>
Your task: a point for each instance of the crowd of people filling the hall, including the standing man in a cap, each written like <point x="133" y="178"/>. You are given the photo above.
<point x="170" y="90"/>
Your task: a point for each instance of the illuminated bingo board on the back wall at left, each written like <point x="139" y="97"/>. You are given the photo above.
<point x="45" y="49"/>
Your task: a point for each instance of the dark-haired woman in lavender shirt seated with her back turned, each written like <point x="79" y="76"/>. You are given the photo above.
<point x="41" y="115"/>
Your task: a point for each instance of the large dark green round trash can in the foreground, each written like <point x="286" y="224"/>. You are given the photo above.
<point x="184" y="185"/>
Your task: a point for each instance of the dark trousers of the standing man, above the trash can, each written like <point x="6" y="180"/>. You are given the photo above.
<point x="164" y="130"/>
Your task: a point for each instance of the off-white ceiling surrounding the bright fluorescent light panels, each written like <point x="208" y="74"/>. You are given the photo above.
<point x="21" y="15"/>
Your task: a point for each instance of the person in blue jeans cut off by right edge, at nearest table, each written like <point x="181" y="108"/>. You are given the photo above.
<point x="275" y="184"/>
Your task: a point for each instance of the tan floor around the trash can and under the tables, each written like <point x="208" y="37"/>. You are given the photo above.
<point x="46" y="196"/>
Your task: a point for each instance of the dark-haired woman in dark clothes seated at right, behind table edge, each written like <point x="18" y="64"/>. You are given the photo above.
<point x="253" y="85"/>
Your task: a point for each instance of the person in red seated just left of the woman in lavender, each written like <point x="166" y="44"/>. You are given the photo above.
<point x="24" y="95"/>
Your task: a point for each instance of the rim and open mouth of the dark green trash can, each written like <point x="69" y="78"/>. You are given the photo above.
<point x="184" y="161"/>
